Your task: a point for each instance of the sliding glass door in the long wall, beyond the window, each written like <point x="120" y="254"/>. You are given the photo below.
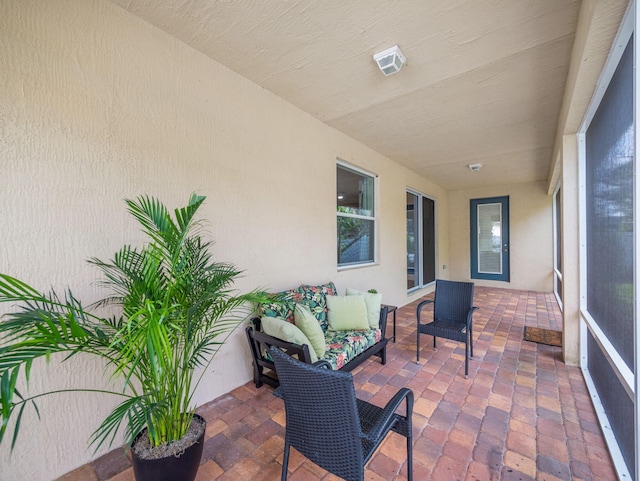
<point x="421" y="240"/>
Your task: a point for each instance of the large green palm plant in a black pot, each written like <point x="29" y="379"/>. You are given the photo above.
<point x="175" y="307"/>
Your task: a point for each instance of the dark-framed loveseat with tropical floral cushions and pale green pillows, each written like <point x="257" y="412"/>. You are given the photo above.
<point x="347" y="340"/>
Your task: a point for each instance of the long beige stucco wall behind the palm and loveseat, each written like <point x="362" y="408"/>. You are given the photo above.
<point x="97" y="106"/>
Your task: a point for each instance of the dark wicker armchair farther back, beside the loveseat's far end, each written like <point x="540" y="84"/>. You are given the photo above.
<point x="452" y="316"/>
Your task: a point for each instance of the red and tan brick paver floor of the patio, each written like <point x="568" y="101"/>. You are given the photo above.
<point x="522" y="414"/>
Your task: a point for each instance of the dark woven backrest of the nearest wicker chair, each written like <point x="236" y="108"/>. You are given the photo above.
<point x="321" y="414"/>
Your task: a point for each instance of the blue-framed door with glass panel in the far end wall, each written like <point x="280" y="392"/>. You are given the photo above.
<point x="490" y="238"/>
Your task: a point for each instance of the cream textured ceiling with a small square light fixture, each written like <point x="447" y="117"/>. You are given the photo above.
<point x="483" y="82"/>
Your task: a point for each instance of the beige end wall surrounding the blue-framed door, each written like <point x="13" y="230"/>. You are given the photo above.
<point x="531" y="234"/>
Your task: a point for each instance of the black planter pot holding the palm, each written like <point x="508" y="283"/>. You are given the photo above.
<point x="172" y="468"/>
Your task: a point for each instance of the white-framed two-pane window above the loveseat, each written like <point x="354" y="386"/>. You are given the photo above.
<point x="356" y="217"/>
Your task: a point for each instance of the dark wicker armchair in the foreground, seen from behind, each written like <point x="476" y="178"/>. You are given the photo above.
<point x="329" y="425"/>
